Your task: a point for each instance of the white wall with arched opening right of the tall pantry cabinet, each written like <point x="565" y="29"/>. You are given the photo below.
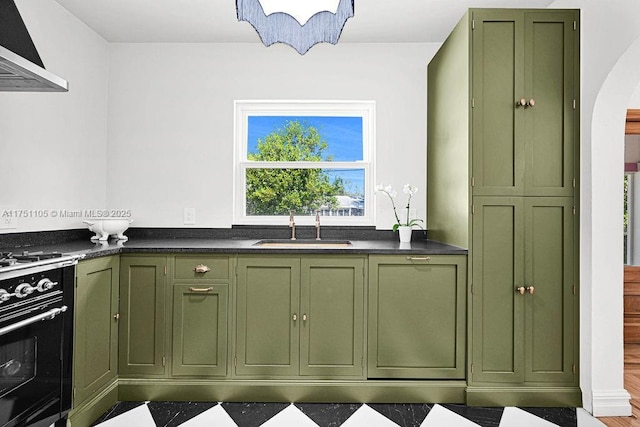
<point x="610" y="73"/>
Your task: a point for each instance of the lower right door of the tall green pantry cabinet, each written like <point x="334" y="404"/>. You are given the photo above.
<point x="550" y="307"/>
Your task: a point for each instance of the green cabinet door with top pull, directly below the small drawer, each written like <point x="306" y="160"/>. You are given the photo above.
<point x="200" y="330"/>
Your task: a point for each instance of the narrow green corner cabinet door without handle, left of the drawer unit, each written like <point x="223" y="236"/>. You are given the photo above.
<point x="142" y="315"/>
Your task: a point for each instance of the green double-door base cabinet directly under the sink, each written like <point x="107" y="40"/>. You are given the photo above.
<point x="300" y="316"/>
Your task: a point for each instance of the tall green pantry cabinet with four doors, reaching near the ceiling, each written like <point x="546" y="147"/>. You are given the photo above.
<point x="502" y="178"/>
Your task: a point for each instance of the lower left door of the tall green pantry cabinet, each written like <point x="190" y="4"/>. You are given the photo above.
<point x="497" y="303"/>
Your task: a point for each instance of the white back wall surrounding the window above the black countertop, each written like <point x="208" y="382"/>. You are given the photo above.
<point x="171" y="117"/>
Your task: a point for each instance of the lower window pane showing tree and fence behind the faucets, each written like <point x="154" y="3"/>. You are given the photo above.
<point x="333" y="192"/>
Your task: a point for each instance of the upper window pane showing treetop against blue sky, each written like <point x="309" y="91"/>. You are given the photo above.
<point x="327" y="138"/>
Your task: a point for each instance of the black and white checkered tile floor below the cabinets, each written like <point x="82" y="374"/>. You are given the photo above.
<point x="197" y="414"/>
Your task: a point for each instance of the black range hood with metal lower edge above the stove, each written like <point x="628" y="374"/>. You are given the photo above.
<point x="21" y="69"/>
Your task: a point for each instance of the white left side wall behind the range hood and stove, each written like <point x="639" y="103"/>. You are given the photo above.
<point x="53" y="145"/>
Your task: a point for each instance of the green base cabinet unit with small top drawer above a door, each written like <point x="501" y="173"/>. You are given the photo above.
<point x="200" y="315"/>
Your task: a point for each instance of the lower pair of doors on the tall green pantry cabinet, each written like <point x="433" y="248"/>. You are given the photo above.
<point x="523" y="302"/>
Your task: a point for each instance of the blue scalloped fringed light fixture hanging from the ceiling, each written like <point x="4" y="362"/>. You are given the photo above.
<point x="298" y="23"/>
